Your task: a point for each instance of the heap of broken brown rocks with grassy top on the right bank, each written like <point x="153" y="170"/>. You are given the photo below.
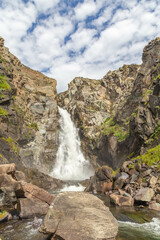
<point x="136" y="182"/>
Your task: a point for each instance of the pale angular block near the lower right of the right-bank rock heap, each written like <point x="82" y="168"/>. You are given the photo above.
<point x="144" y="194"/>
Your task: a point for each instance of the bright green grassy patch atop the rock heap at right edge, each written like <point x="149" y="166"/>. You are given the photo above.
<point x="151" y="157"/>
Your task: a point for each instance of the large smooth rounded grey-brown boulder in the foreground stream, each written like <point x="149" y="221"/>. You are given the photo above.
<point x="79" y="216"/>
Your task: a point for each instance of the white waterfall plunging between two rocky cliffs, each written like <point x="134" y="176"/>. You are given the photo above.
<point x="70" y="163"/>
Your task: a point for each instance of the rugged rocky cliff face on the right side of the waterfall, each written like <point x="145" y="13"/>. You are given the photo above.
<point x="118" y="116"/>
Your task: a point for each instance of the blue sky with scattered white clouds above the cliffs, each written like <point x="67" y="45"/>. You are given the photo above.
<point x="87" y="38"/>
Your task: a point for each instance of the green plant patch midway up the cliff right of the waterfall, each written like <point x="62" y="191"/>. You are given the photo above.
<point x="110" y="127"/>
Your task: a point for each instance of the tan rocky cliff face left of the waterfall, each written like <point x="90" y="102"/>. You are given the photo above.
<point x="28" y="114"/>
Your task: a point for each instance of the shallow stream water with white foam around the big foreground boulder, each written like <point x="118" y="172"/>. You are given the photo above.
<point x="134" y="223"/>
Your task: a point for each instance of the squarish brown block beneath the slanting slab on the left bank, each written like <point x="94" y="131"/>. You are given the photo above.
<point x="31" y="207"/>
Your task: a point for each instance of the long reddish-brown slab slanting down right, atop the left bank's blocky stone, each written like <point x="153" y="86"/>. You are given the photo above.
<point x="32" y="191"/>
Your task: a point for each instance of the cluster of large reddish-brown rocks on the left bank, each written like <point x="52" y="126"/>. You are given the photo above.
<point x="27" y="198"/>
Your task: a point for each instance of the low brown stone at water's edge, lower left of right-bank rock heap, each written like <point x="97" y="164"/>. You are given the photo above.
<point x="121" y="200"/>
